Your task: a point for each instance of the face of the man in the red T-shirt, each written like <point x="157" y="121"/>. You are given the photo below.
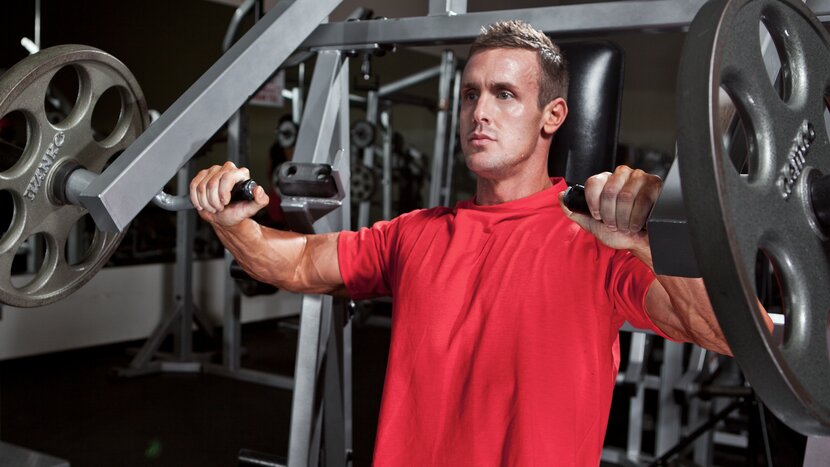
<point x="501" y="123"/>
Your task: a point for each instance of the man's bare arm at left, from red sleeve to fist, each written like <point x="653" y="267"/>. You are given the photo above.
<point x="288" y="260"/>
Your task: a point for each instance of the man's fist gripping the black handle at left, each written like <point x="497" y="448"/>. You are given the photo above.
<point x="210" y="192"/>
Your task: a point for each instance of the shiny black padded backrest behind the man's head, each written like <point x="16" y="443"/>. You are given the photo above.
<point x="586" y="144"/>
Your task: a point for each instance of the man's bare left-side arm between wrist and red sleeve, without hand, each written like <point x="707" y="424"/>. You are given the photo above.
<point x="291" y="261"/>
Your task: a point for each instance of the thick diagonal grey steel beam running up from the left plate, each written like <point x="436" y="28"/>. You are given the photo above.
<point x="121" y="191"/>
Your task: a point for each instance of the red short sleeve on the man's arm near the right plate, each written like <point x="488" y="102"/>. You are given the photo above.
<point x="628" y="282"/>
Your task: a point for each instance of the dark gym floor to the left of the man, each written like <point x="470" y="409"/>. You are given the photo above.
<point x="70" y="405"/>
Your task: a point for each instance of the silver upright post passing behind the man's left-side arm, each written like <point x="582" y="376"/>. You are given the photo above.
<point x="321" y="367"/>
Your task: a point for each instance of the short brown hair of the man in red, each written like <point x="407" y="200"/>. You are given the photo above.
<point x="515" y="34"/>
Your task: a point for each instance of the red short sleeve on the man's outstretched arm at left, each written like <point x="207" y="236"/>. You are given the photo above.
<point x="365" y="258"/>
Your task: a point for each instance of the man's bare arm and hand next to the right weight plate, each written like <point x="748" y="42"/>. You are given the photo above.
<point x="620" y="203"/>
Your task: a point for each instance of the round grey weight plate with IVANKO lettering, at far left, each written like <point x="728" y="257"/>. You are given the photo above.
<point x="29" y="181"/>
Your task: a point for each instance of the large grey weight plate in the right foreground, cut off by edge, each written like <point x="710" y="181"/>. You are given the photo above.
<point x="768" y="210"/>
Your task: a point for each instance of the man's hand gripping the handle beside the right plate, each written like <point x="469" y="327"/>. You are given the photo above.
<point x="620" y="203"/>
